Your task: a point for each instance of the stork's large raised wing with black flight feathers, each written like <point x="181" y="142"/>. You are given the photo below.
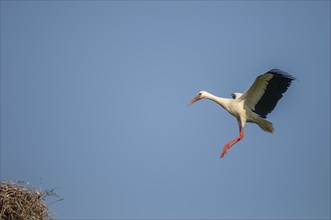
<point x="266" y="91"/>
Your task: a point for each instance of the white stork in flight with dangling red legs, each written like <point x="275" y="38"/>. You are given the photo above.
<point x="255" y="104"/>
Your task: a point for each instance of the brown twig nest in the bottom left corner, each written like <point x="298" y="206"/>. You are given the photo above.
<point x="21" y="201"/>
